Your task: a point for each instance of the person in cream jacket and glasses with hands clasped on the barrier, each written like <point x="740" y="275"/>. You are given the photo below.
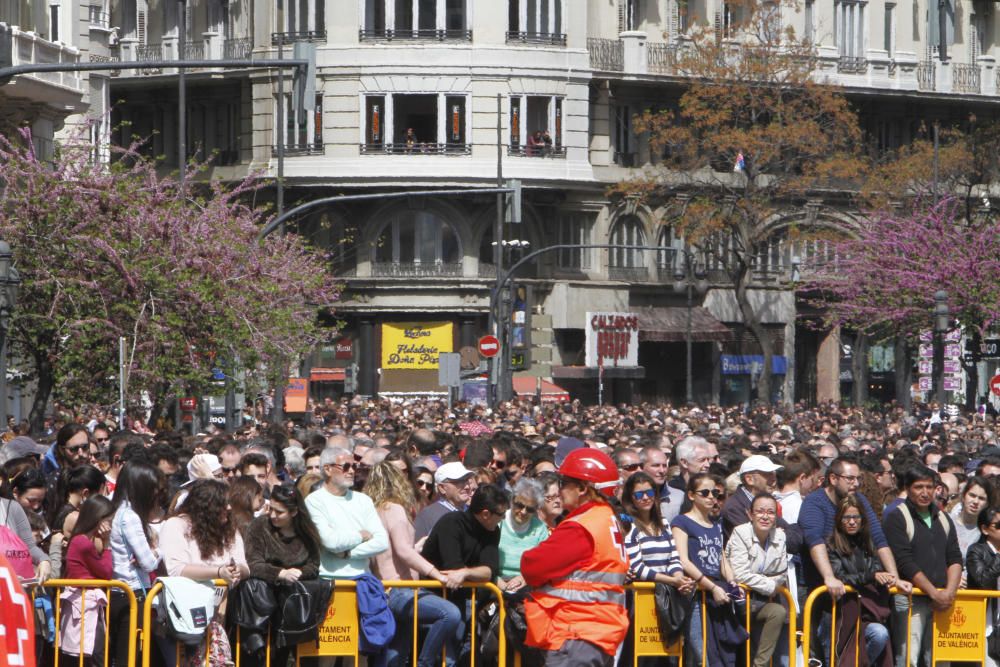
<point x="759" y="560"/>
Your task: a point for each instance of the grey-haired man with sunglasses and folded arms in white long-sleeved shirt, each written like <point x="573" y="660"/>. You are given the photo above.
<point x="349" y="528"/>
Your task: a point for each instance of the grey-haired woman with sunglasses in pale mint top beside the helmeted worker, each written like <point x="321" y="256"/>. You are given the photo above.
<point x="520" y="530"/>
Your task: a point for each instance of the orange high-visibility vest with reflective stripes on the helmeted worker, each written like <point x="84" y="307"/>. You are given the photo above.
<point x="590" y="603"/>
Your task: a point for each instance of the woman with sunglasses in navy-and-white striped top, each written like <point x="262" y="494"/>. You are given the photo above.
<point x="651" y="550"/>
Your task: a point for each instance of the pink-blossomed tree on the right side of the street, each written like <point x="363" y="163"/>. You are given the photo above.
<point x="883" y="278"/>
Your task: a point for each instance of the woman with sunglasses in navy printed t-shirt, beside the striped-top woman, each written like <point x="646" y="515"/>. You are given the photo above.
<point x="698" y="535"/>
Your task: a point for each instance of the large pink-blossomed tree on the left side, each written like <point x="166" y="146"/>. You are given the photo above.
<point x="117" y="250"/>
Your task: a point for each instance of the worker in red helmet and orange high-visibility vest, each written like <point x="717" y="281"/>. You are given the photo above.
<point x="576" y="614"/>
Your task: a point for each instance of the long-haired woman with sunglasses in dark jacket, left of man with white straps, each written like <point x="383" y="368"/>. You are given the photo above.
<point x="854" y="562"/>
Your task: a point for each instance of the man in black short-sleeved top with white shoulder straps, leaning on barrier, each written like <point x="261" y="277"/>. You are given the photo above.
<point x="924" y="542"/>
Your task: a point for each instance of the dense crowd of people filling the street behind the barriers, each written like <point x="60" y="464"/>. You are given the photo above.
<point x="722" y="506"/>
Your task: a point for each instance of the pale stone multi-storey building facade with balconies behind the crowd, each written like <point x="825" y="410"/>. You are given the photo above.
<point x="442" y="94"/>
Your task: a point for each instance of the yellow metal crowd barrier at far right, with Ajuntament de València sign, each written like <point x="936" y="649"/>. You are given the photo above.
<point x="957" y="634"/>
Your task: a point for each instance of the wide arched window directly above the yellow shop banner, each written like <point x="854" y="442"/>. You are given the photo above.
<point x="417" y="243"/>
